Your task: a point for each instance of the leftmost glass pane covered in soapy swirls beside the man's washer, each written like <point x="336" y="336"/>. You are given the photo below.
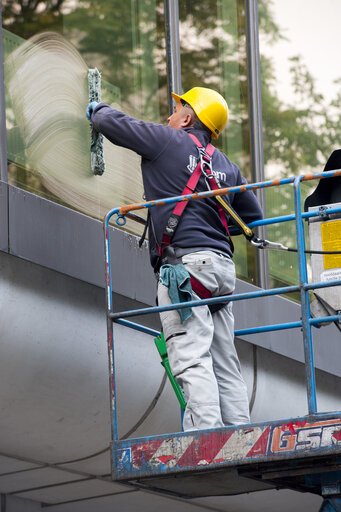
<point x="47" y="93"/>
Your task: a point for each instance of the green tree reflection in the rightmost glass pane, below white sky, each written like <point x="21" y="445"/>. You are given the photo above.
<point x="298" y="138"/>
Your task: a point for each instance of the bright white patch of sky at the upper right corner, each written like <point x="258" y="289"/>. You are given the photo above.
<point x="312" y="28"/>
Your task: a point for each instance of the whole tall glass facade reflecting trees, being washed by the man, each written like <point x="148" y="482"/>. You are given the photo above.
<point x="127" y="42"/>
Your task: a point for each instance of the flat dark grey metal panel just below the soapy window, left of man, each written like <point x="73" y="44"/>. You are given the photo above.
<point x="72" y="243"/>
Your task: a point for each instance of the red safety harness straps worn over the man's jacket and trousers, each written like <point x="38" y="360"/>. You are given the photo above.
<point x="204" y="167"/>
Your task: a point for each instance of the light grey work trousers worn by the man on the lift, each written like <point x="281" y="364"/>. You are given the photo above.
<point x="201" y="351"/>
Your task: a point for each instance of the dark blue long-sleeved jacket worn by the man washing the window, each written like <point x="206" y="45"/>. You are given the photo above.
<point x="167" y="162"/>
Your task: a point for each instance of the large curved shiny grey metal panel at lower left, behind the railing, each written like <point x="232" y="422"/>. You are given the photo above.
<point x="54" y="393"/>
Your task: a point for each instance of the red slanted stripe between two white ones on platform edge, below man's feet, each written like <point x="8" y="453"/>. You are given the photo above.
<point x="204" y="448"/>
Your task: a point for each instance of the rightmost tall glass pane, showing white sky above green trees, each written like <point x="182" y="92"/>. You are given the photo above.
<point x="299" y="46"/>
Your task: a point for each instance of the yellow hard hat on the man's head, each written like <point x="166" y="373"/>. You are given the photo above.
<point x="209" y="106"/>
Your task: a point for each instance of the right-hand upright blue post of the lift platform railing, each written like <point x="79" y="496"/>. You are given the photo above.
<point x="305" y="306"/>
